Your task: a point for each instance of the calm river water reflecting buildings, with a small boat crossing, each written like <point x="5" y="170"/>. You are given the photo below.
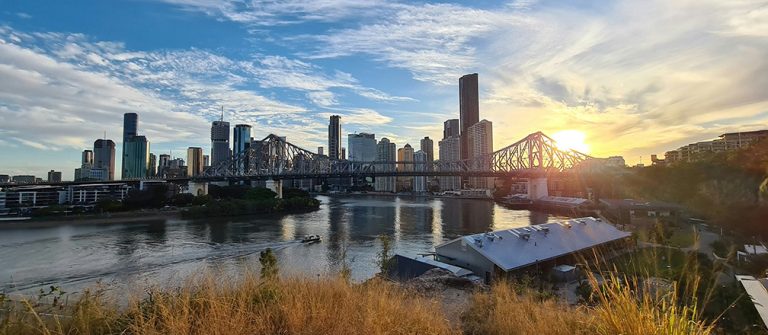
<point x="165" y="251"/>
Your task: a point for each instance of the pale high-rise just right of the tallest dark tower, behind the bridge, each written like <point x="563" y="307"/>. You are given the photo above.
<point x="480" y="143"/>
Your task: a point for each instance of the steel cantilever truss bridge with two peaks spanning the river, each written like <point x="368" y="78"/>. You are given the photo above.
<point x="273" y="158"/>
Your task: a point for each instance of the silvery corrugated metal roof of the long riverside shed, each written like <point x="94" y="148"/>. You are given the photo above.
<point x="516" y="248"/>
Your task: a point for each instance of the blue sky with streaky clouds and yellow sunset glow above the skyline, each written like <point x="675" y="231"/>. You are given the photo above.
<point x="635" y="77"/>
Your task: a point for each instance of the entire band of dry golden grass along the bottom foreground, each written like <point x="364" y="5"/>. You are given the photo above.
<point x="332" y="306"/>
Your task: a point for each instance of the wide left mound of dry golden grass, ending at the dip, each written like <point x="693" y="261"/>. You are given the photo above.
<point x="248" y="306"/>
